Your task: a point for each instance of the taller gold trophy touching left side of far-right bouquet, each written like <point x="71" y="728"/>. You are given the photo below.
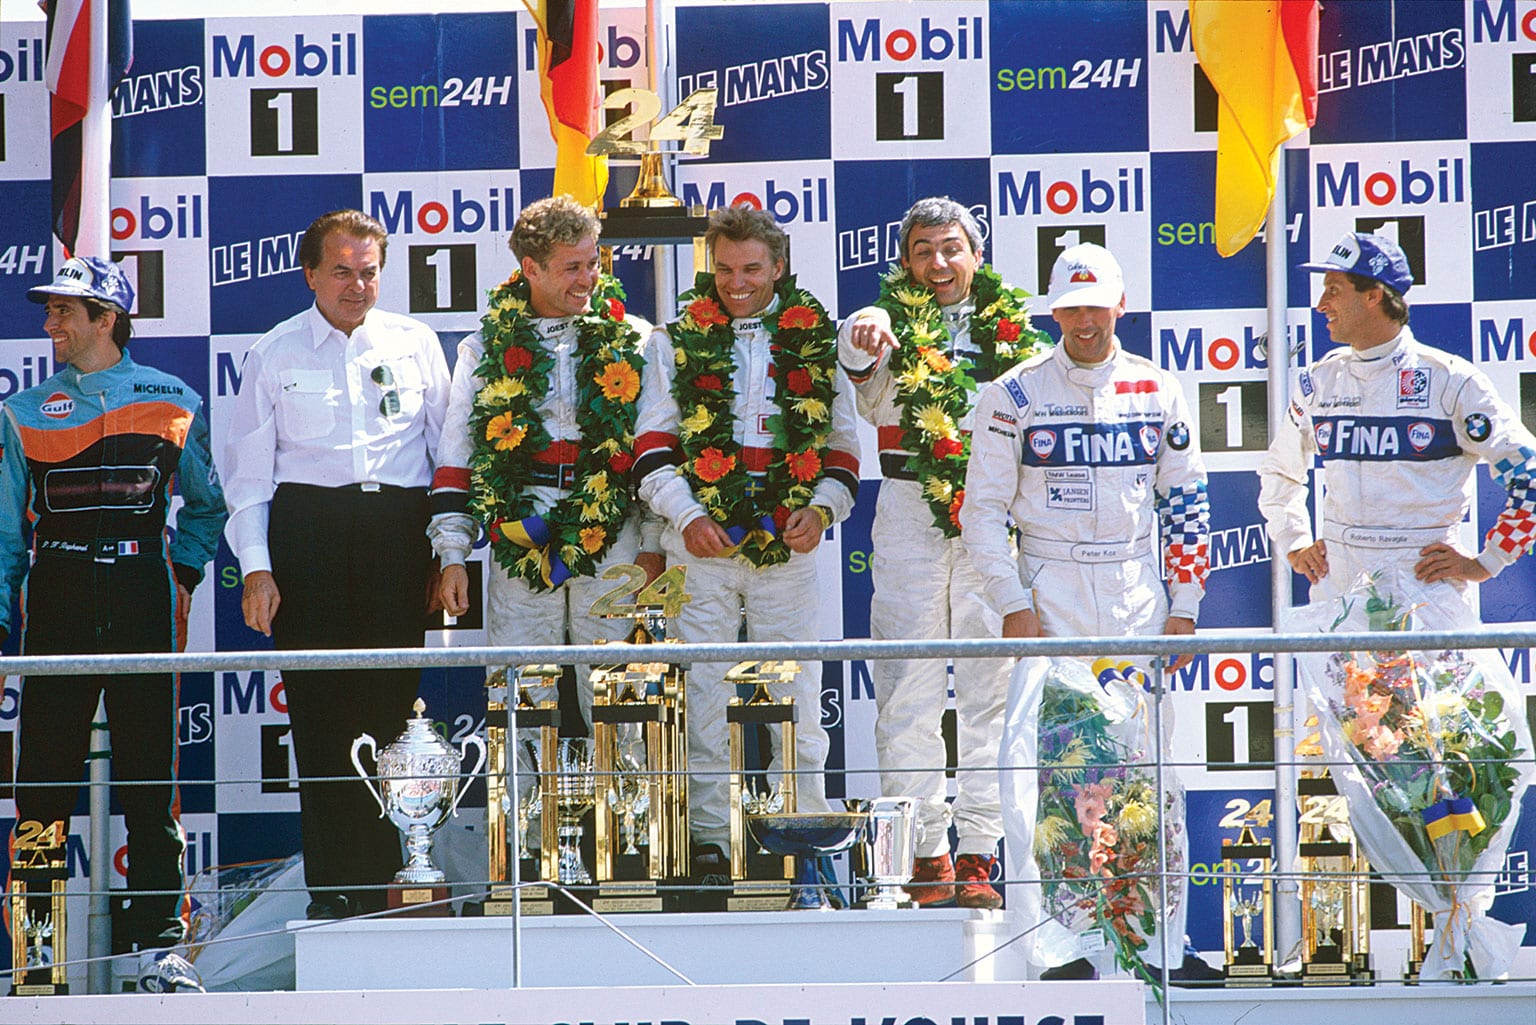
<point x="1336" y="889"/>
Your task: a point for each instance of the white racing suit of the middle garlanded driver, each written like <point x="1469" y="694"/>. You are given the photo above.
<point x="781" y="602"/>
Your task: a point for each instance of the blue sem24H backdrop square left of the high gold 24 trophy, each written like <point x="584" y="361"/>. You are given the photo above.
<point x="442" y="91"/>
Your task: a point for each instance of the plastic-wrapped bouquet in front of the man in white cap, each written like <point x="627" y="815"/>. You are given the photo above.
<point x="1090" y="815"/>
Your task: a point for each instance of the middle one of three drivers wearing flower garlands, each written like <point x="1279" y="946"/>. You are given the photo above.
<point x="749" y="449"/>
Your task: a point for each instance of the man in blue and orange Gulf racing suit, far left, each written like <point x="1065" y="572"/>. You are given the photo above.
<point x="90" y="457"/>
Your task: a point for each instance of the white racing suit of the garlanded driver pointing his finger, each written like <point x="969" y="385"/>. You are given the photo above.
<point x="925" y="588"/>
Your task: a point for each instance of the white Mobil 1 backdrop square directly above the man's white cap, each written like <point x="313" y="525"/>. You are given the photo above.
<point x="1050" y="204"/>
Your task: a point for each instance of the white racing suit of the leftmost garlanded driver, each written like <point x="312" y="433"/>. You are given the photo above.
<point x="518" y="615"/>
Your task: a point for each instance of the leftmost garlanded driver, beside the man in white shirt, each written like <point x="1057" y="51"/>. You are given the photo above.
<point x="538" y="443"/>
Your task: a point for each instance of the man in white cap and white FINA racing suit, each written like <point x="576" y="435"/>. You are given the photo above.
<point x="1090" y="453"/>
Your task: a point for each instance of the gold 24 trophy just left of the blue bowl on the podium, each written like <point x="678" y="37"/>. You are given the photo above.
<point x="761" y="881"/>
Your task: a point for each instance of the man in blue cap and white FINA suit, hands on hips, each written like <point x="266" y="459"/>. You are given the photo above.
<point x="1400" y="428"/>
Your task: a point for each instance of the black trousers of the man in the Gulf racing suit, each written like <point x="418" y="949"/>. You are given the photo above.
<point x="76" y="606"/>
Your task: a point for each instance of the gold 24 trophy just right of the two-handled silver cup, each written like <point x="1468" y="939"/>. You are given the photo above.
<point x="509" y="817"/>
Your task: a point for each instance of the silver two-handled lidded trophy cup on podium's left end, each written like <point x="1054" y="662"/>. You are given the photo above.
<point x="419" y="789"/>
